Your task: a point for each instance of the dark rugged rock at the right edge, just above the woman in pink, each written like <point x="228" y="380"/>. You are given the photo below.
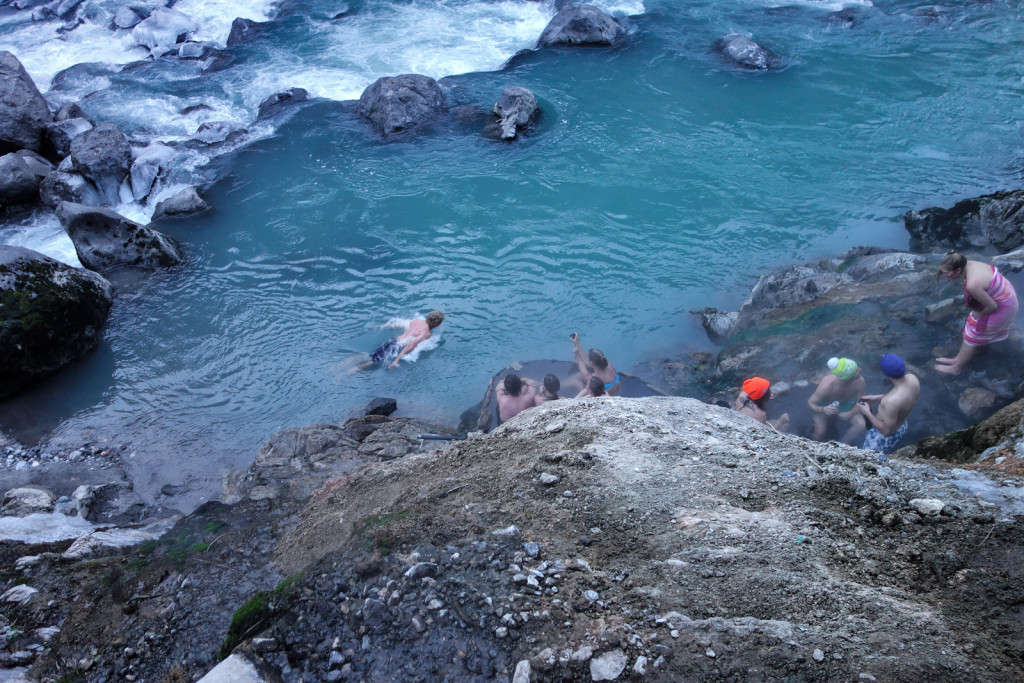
<point x="984" y="223"/>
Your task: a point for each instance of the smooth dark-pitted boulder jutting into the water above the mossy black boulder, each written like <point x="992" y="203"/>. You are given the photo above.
<point x="106" y="240"/>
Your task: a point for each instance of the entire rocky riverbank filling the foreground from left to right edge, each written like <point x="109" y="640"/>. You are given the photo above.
<point x="590" y="540"/>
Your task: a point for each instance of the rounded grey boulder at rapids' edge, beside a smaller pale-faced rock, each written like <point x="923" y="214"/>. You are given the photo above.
<point x="400" y="103"/>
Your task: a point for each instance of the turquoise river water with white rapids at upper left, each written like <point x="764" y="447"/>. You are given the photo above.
<point x="657" y="183"/>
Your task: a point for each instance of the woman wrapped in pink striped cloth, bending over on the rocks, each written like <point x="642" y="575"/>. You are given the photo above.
<point x="993" y="303"/>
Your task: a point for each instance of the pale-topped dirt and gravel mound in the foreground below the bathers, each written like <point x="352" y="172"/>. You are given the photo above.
<point x="674" y="539"/>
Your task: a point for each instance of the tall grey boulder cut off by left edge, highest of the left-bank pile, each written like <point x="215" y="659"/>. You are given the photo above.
<point x="23" y="111"/>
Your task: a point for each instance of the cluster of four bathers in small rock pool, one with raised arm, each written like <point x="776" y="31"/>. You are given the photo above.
<point x="598" y="378"/>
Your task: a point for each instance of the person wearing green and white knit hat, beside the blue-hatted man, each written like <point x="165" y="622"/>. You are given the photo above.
<point x="836" y="401"/>
